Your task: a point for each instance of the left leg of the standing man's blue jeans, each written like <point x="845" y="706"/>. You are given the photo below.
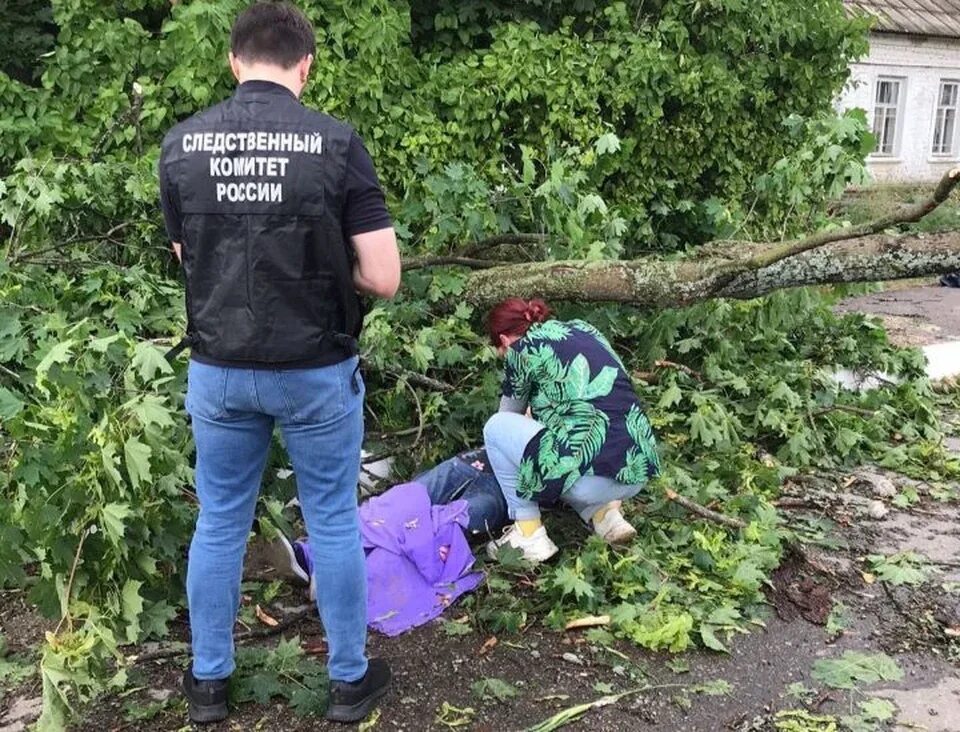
<point x="232" y="440"/>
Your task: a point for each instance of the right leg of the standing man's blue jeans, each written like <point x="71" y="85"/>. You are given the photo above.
<point x="323" y="431"/>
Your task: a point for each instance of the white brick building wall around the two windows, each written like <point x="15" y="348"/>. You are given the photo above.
<point x="923" y="63"/>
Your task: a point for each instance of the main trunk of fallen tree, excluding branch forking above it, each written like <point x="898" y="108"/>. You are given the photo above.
<point x="664" y="283"/>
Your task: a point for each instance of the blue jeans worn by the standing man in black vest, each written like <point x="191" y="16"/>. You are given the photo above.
<point x="320" y="415"/>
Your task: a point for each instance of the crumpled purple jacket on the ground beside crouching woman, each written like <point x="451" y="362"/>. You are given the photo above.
<point x="418" y="559"/>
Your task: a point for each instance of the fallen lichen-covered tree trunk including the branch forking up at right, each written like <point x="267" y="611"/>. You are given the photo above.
<point x="740" y="270"/>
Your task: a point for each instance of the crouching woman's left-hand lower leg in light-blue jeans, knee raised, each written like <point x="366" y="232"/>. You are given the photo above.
<point x="505" y="436"/>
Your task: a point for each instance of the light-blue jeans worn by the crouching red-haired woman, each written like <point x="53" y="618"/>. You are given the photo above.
<point x="506" y="435"/>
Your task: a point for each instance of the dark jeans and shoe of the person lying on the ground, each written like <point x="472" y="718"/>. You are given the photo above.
<point x="466" y="476"/>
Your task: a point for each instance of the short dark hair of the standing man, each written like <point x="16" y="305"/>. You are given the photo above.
<point x="274" y="33"/>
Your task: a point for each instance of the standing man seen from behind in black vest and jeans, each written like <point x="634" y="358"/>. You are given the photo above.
<point x="278" y="218"/>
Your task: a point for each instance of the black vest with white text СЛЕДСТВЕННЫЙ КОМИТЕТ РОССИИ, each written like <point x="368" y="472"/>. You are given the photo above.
<point x="259" y="179"/>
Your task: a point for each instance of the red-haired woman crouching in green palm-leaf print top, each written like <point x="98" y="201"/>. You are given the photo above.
<point x="587" y="441"/>
